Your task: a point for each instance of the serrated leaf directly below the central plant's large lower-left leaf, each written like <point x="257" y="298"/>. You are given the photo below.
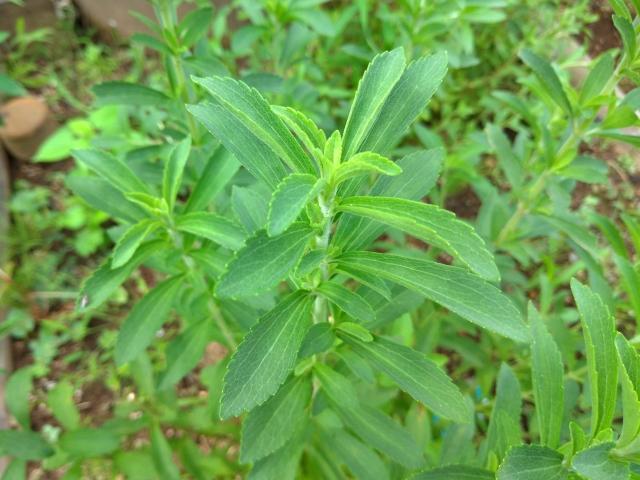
<point x="268" y="427"/>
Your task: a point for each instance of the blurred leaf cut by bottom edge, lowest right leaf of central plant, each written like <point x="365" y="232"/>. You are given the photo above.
<point x="363" y="462"/>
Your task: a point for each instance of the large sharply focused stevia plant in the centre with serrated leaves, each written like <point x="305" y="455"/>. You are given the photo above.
<point x="294" y="371"/>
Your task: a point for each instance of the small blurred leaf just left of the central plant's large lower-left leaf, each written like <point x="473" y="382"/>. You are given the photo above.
<point x="184" y="353"/>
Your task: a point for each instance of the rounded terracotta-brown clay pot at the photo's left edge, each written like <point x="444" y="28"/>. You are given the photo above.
<point x="27" y="122"/>
